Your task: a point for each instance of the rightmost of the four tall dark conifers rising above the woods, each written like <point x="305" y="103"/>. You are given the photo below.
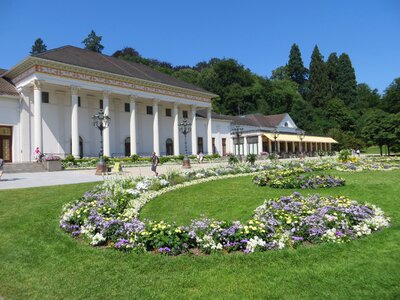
<point x="346" y="80"/>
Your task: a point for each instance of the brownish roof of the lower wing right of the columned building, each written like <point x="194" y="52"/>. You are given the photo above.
<point x="256" y="120"/>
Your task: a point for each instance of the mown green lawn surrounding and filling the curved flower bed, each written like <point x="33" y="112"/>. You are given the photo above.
<point x="39" y="261"/>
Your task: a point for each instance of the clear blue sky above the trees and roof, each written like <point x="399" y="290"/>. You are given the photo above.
<point x="258" y="34"/>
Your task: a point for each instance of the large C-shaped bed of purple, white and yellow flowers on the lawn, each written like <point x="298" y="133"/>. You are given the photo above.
<point x="108" y="215"/>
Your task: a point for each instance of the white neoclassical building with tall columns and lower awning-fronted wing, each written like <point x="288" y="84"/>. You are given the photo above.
<point x="48" y="101"/>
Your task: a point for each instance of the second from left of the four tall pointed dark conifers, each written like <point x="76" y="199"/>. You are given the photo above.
<point x="318" y="79"/>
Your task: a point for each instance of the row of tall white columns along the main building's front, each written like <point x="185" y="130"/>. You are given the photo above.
<point x="132" y="124"/>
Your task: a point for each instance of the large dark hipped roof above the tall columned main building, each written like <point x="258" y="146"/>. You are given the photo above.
<point x="88" y="59"/>
